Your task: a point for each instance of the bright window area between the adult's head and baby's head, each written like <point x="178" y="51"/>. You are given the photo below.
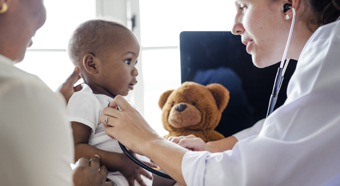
<point x="47" y="58"/>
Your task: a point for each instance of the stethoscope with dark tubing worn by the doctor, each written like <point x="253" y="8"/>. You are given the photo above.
<point x="273" y="98"/>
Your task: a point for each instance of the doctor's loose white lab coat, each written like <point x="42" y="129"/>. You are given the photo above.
<point x="299" y="143"/>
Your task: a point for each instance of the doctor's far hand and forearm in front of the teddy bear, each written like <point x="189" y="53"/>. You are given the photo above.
<point x="197" y="144"/>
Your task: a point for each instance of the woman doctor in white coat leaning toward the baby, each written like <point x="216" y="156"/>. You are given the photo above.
<point x="298" y="144"/>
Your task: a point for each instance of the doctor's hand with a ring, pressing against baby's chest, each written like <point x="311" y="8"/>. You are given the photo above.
<point x="128" y="126"/>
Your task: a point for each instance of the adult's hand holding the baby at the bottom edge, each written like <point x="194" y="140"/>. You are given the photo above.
<point x="89" y="173"/>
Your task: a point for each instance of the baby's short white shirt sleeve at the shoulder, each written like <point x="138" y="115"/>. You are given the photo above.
<point x="84" y="108"/>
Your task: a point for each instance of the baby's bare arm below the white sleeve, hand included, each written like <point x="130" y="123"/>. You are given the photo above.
<point x="113" y="161"/>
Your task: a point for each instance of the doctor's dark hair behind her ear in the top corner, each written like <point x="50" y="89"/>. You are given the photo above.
<point x="325" y="11"/>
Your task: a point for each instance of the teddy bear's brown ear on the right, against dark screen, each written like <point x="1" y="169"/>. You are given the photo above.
<point x="221" y="95"/>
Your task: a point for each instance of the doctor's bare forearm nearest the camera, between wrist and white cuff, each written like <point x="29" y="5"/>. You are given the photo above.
<point x="168" y="156"/>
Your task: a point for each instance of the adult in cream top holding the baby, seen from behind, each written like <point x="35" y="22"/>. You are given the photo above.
<point x="35" y="135"/>
